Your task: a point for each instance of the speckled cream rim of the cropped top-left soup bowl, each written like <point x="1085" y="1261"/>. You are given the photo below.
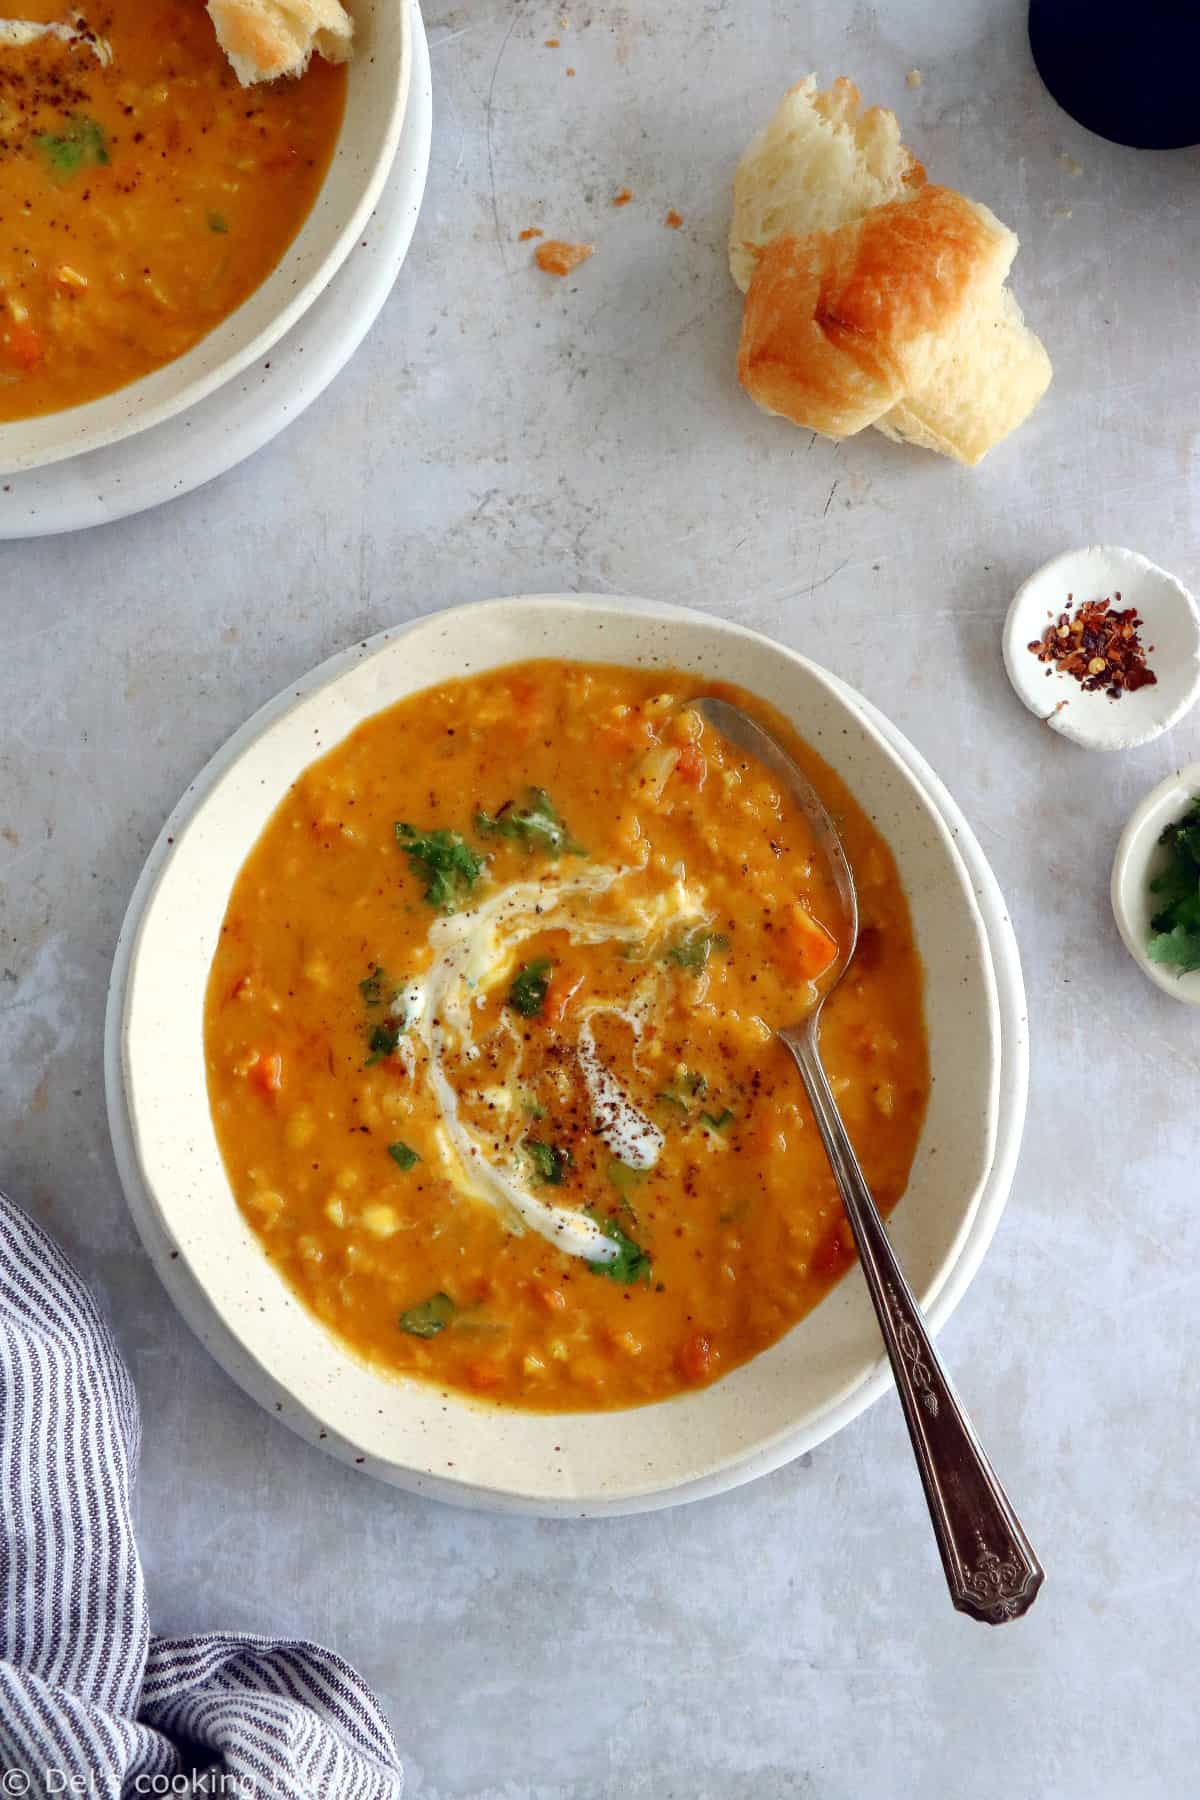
<point x="375" y="112"/>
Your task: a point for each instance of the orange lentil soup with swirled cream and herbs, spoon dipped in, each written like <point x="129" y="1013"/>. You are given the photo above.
<point x="490" y="1039"/>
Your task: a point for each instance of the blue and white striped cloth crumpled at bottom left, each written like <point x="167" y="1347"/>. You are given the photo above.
<point x="89" y="1702"/>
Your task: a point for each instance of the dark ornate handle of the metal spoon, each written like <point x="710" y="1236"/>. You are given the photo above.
<point x="990" y="1565"/>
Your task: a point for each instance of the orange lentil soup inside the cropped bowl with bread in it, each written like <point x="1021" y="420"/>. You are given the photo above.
<point x="143" y="192"/>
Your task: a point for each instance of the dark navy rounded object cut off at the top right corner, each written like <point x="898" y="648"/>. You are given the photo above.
<point x="1127" y="73"/>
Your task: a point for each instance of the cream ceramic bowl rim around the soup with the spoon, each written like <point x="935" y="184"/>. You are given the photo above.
<point x="782" y="1403"/>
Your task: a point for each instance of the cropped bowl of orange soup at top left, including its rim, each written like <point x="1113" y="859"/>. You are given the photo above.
<point x="165" y="226"/>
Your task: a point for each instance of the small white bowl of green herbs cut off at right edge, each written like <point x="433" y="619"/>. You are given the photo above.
<point x="1156" y="886"/>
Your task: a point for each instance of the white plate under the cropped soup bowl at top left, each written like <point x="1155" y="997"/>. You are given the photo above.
<point x="240" y="418"/>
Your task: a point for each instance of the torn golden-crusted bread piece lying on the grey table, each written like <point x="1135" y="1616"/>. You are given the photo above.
<point x="864" y="310"/>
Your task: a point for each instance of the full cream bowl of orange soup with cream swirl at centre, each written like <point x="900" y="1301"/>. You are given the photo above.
<point x="447" y="1059"/>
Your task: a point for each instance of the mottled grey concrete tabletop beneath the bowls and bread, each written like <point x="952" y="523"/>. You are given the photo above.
<point x="505" y="433"/>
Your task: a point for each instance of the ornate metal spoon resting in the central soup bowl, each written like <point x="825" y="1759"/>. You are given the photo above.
<point x="990" y="1565"/>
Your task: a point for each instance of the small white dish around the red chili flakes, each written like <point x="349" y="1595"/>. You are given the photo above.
<point x="1170" y="634"/>
